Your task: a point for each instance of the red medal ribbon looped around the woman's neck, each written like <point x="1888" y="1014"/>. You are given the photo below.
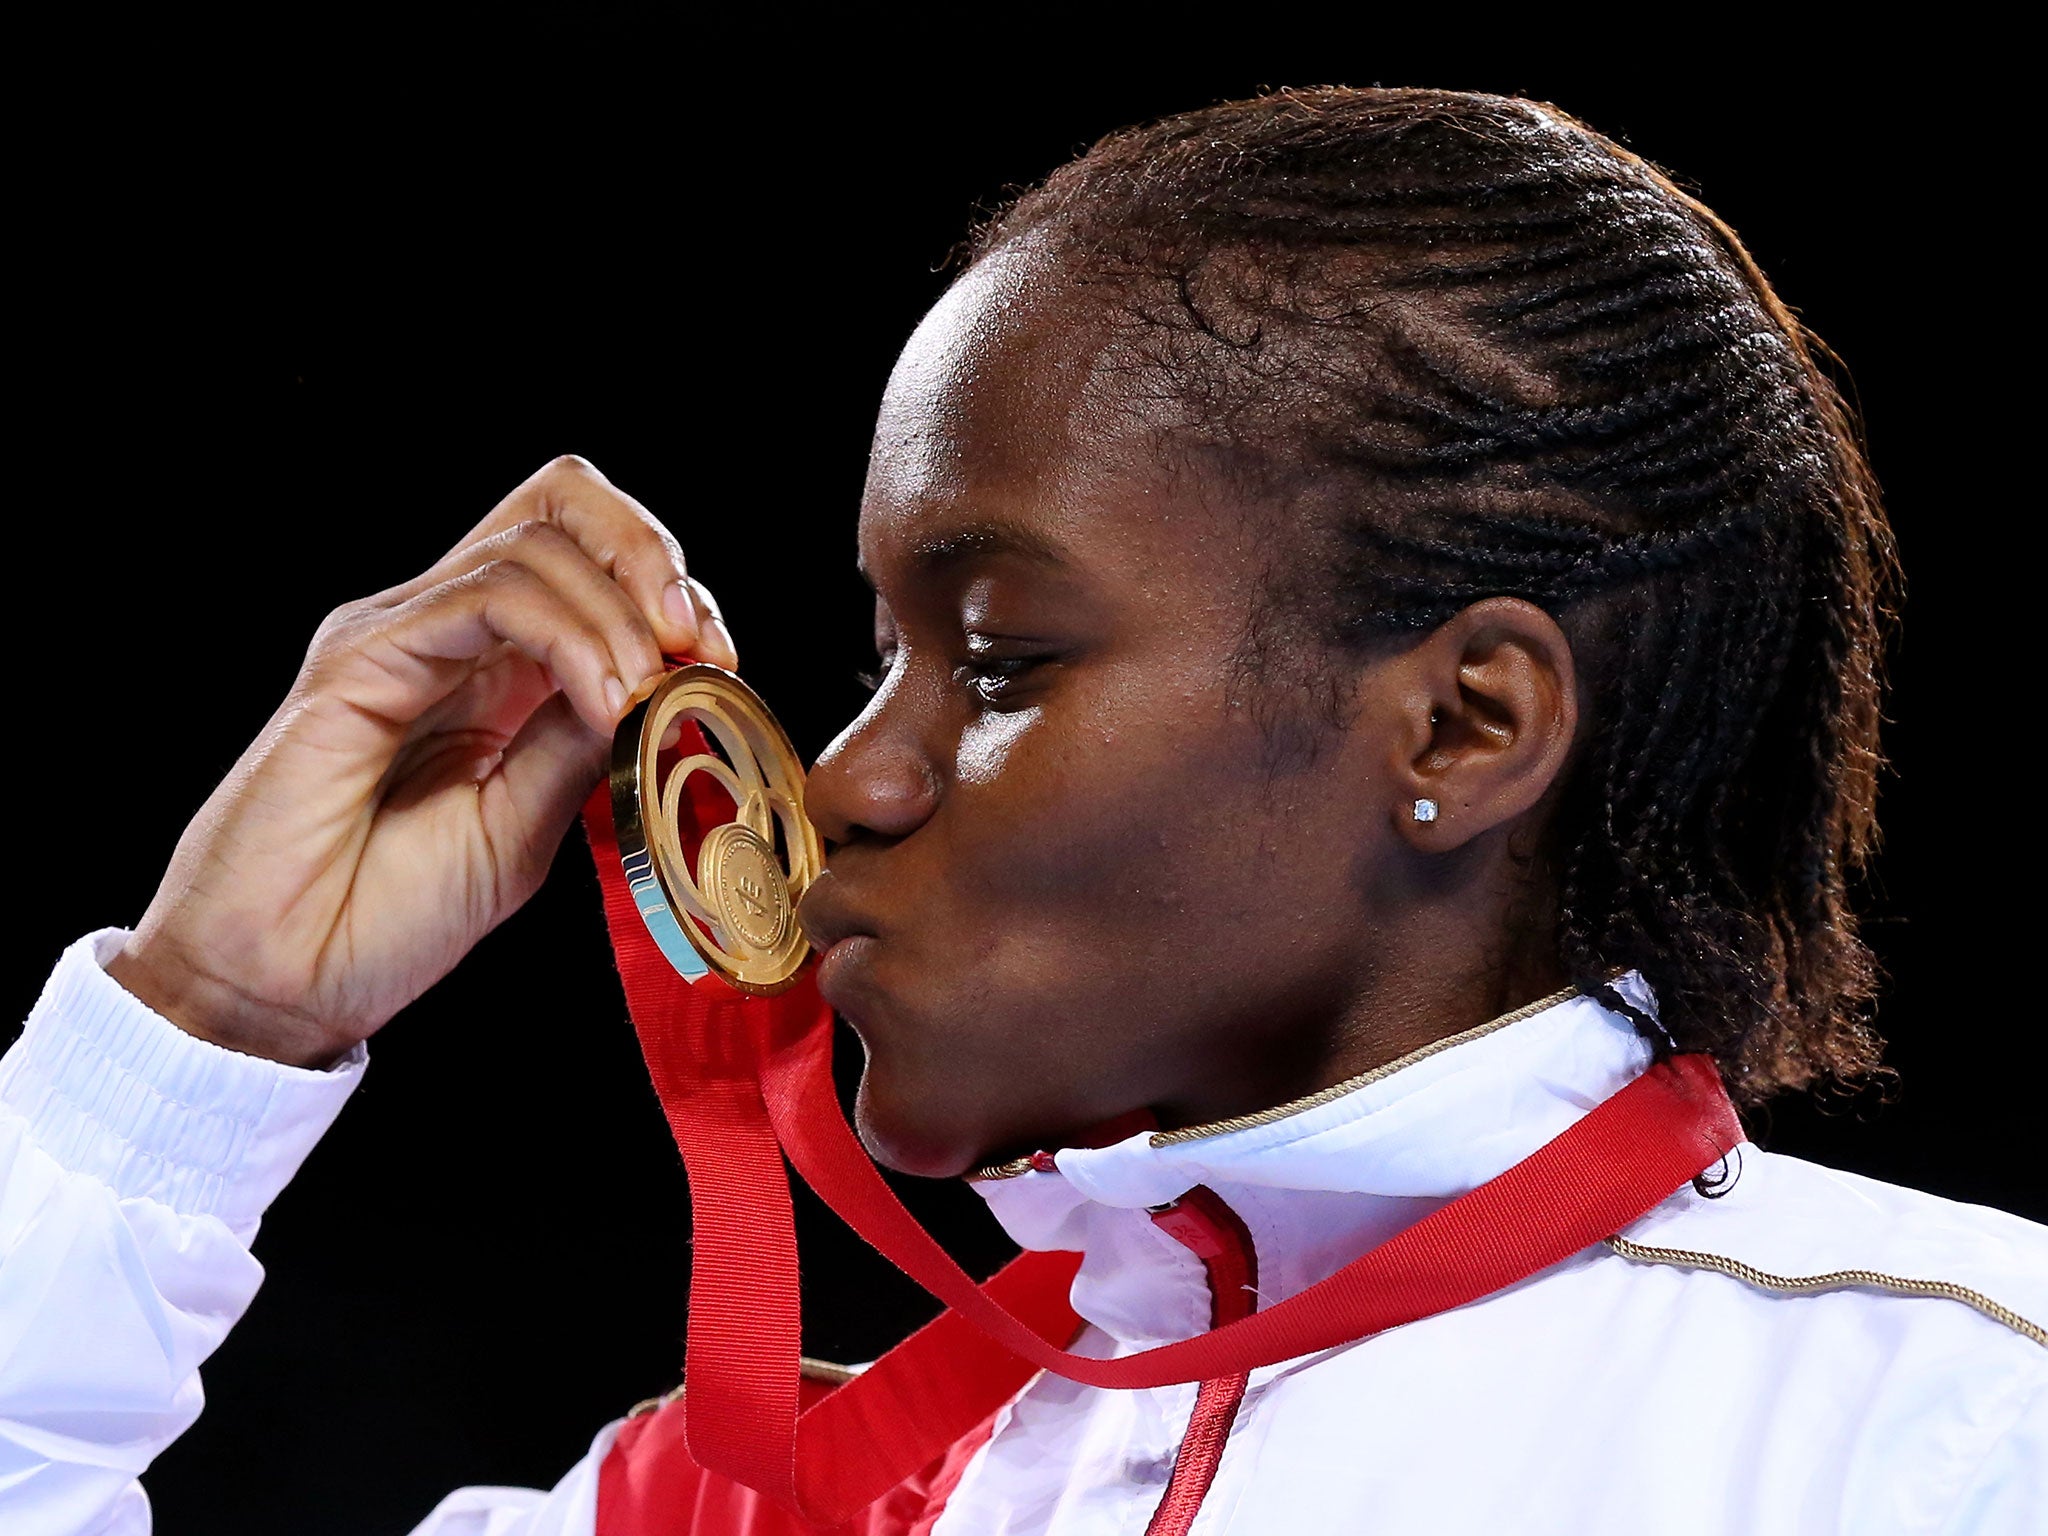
<point x="749" y="1080"/>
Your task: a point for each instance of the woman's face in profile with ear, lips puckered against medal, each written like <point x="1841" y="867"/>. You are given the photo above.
<point x="1070" y="873"/>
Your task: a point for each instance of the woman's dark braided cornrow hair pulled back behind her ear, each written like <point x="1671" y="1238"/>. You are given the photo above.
<point x="1476" y="349"/>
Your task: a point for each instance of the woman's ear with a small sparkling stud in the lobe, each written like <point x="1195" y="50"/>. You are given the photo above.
<point x="1488" y="716"/>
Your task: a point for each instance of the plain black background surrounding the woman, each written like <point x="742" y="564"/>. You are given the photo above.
<point x="302" y="304"/>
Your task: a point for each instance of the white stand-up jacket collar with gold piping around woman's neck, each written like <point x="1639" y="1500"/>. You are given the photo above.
<point x="1322" y="1181"/>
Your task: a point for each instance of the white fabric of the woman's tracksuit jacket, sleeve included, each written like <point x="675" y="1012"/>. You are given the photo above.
<point x="1678" y="1381"/>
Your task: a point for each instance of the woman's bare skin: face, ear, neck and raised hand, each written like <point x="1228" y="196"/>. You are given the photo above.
<point x="1070" y="876"/>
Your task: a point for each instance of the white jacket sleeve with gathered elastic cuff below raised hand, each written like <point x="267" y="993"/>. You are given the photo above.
<point x="136" y="1164"/>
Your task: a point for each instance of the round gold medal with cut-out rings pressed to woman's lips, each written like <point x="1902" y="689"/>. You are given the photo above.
<point x="736" y="910"/>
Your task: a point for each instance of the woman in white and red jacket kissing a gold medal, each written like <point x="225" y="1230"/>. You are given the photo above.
<point x="1379" y="620"/>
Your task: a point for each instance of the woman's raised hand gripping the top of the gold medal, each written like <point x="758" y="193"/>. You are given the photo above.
<point x="415" y="785"/>
